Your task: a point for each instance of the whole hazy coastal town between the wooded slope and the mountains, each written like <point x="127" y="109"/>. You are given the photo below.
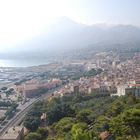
<point x="106" y="73"/>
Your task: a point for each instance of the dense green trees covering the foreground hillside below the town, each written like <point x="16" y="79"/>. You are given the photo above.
<point x="85" y="117"/>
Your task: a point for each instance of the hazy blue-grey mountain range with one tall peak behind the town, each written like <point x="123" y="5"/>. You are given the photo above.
<point x="66" y="34"/>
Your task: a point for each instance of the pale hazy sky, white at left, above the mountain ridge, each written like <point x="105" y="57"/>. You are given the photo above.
<point x="21" y="20"/>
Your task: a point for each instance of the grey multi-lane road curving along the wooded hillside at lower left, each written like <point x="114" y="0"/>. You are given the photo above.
<point x="18" y="118"/>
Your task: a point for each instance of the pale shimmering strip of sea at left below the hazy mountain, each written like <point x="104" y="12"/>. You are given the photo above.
<point x="22" y="62"/>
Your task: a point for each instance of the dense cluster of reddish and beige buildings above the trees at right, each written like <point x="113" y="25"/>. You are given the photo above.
<point x="118" y="77"/>
